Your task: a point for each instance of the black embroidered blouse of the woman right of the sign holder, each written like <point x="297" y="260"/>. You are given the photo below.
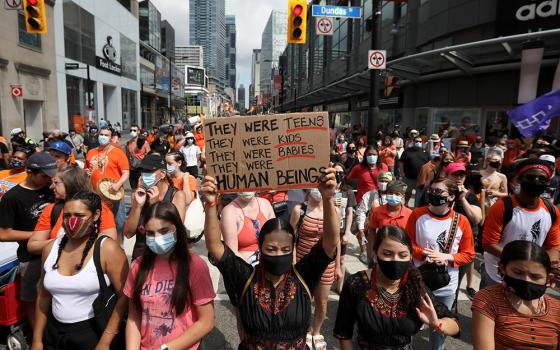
<point x="380" y="322"/>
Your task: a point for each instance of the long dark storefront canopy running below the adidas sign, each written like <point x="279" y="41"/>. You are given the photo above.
<point x="485" y="56"/>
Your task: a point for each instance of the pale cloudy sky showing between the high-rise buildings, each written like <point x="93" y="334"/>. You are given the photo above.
<point x="251" y="17"/>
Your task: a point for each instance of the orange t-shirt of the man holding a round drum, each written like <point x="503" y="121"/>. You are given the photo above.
<point x="107" y="163"/>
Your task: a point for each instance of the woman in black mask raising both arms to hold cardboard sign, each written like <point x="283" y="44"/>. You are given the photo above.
<point x="279" y="322"/>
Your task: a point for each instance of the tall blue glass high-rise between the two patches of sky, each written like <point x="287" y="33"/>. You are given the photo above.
<point x="207" y="28"/>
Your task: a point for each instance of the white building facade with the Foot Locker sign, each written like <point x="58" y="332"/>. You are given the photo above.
<point x="101" y="37"/>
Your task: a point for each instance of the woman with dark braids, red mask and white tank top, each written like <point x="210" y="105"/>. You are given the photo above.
<point x="69" y="282"/>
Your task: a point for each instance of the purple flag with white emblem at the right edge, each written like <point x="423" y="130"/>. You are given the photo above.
<point x="535" y="116"/>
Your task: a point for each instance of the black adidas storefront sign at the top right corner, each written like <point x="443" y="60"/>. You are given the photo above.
<point x="522" y="16"/>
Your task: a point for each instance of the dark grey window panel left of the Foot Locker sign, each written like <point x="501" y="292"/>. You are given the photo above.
<point x="79" y="33"/>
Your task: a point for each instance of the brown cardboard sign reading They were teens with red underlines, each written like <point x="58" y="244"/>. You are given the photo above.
<point x="267" y="152"/>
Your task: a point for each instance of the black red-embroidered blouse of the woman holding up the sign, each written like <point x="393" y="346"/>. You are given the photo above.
<point x="273" y="318"/>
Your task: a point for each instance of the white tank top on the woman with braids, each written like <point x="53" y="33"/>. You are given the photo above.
<point x="72" y="296"/>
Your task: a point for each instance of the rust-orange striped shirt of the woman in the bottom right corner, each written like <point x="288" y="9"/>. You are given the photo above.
<point x="514" y="330"/>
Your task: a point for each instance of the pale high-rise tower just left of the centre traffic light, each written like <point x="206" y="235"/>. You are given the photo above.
<point x="274" y="41"/>
